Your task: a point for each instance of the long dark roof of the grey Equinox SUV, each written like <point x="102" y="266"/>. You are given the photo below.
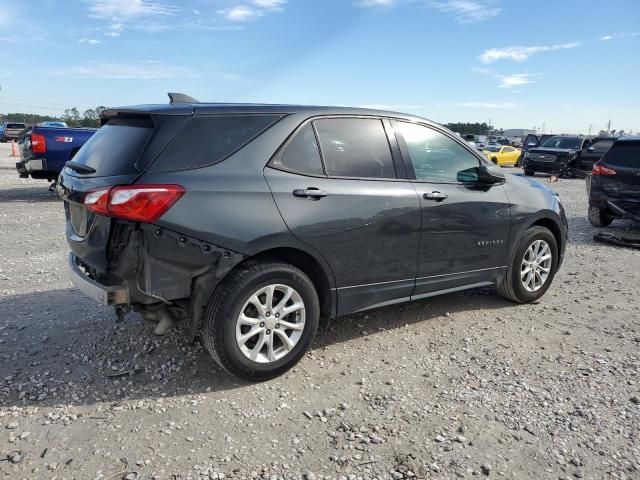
<point x="254" y="108"/>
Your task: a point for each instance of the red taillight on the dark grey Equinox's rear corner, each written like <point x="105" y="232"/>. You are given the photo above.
<point x="139" y="203"/>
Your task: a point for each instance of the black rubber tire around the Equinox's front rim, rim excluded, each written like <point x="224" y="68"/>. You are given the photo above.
<point x="510" y="285"/>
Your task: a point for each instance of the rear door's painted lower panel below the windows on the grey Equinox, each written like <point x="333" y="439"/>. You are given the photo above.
<point x="368" y="230"/>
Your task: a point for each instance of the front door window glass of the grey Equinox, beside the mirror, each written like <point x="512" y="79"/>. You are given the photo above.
<point x="436" y="157"/>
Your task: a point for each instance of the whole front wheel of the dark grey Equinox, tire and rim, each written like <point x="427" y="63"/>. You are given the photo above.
<point x="532" y="267"/>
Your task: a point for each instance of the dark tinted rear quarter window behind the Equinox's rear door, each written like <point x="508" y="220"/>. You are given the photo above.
<point x="207" y="140"/>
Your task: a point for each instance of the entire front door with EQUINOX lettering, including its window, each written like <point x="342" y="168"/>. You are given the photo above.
<point x="465" y="225"/>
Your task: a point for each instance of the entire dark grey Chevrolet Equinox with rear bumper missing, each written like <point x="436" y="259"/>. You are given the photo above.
<point x="251" y="222"/>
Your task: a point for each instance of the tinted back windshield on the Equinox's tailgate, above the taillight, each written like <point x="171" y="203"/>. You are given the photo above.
<point x="115" y="148"/>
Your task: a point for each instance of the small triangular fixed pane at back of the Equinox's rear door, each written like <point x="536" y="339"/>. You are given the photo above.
<point x="301" y="155"/>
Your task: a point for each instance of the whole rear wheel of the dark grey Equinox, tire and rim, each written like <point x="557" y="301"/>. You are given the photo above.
<point x="262" y="320"/>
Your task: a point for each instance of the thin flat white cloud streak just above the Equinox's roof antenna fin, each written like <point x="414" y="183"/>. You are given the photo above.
<point x="125" y="71"/>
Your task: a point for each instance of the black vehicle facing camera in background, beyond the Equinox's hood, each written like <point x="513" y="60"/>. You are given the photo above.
<point x="557" y="155"/>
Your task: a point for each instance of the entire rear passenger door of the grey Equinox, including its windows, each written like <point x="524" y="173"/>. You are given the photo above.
<point x="340" y="187"/>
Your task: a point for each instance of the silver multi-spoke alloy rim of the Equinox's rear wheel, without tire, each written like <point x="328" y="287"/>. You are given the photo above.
<point x="270" y="323"/>
